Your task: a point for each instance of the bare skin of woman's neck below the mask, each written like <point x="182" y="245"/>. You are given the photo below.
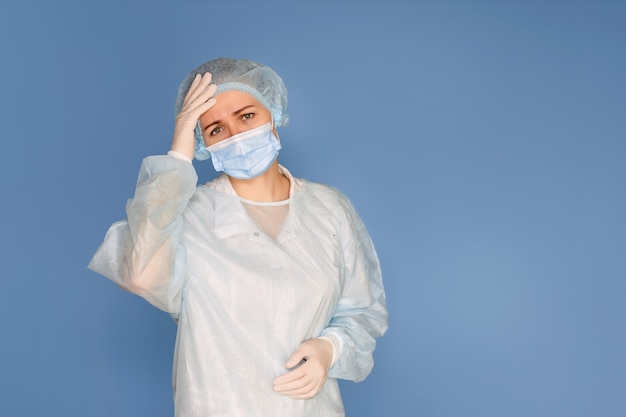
<point x="268" y="187"/>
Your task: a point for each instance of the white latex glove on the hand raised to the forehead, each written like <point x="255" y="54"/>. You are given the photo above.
<point x="199" y="99"/>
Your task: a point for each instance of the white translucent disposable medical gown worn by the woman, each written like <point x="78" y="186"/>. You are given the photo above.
<point x="247" y="283"/>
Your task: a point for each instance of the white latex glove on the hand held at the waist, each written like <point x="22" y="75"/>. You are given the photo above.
<point x="306" y="380"/>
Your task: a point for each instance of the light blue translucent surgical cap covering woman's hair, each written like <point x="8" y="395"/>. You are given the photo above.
<point x="258" y="80"/>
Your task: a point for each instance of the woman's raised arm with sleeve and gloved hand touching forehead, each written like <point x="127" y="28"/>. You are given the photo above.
<point x="143" y="254"/>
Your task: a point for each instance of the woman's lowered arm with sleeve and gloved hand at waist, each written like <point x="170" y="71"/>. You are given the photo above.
<point x="344" y="349"/>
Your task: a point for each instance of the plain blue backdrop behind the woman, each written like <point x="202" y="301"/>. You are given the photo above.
<point x="482" y="142"/>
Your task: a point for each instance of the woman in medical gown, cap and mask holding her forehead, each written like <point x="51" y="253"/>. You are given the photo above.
<point x="273" y="280"/>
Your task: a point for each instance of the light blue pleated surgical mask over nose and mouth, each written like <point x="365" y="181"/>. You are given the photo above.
<point x="246" y="155"/>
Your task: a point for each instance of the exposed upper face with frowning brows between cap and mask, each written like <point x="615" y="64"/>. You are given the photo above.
<point x="234" y="112"/>
